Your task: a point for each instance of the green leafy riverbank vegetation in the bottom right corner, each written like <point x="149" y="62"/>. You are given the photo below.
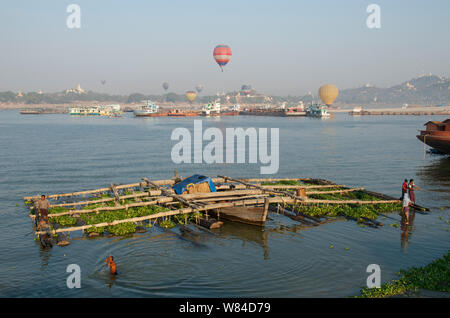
<point x="431" y="280"/>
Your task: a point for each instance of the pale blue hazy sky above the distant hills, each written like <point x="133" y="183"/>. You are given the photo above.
<point x="279" y="47"/>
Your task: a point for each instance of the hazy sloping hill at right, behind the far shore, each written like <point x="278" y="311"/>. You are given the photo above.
<point x="425" y="90"/>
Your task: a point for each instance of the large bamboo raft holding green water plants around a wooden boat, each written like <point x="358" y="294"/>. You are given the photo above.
<point x="239" y="200"/>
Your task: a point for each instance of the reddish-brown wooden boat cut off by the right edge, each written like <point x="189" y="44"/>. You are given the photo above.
<point x="437" y="135"/>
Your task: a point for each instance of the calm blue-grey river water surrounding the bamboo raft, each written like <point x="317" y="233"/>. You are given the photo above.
<point x="60" y="153"/>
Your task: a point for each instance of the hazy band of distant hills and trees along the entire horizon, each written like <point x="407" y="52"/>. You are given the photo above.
<point x="424" y="90"/>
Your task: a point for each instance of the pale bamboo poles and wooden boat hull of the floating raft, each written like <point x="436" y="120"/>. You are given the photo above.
<point x="238" y="200"/>
